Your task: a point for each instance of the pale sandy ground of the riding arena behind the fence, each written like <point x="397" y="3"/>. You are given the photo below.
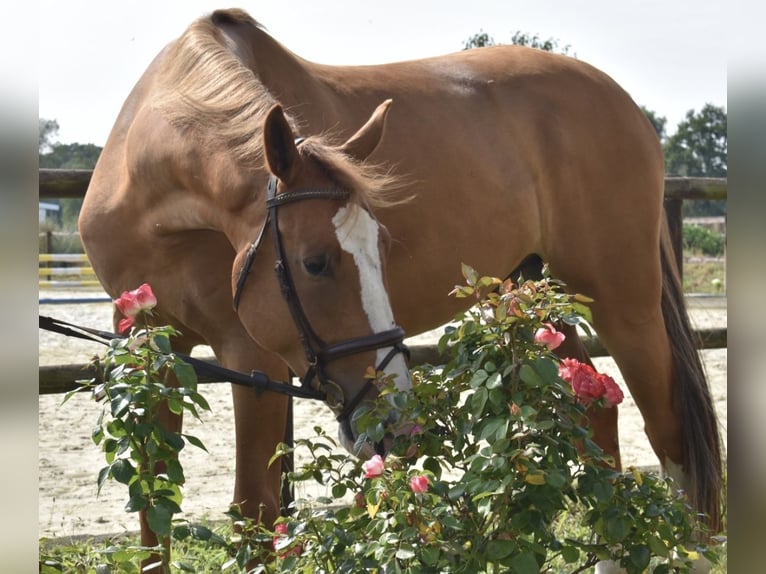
<point x="69" y="461"/>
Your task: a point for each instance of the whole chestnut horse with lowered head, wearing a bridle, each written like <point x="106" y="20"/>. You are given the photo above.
<point x="498" y="156"/>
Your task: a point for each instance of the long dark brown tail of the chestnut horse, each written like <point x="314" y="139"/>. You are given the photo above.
<point x="702" y="460"/>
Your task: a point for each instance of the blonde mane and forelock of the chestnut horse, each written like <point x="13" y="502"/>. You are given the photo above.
<point x="205" y="89"/>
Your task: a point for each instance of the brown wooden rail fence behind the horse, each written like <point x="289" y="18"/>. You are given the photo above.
<point x="56" y="183"/>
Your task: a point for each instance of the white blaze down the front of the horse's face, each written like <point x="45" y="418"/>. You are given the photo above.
<point x="357" y="233"/>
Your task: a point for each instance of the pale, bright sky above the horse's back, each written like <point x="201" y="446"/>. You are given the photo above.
<point x="671" y="56"/>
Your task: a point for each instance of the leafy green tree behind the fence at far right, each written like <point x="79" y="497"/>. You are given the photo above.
<point x="699" y="149"/>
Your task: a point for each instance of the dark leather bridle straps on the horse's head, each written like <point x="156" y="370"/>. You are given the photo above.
<point x="318" y="353"/>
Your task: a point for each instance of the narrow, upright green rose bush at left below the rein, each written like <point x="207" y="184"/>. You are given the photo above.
<point x="141" y="375"/>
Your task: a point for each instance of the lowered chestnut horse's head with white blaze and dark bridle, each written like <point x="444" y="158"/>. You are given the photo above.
<point x="333" y="319"/>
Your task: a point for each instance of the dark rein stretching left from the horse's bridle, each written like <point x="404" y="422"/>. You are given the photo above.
<point x="256" y="380"/>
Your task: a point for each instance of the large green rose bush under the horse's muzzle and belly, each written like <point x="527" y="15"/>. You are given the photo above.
<point x="495" y="434"/>
